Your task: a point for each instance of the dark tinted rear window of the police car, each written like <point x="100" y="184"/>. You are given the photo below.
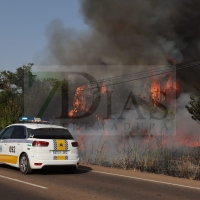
<point x="50" y="133"/>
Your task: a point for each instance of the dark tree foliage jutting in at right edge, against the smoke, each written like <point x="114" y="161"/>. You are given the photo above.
<point x="194" y="105"/>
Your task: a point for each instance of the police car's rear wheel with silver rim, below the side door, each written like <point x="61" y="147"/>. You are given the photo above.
<point x="24" y="165"/>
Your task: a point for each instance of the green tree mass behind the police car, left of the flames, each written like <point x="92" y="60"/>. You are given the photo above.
<point x="23" y="93"/>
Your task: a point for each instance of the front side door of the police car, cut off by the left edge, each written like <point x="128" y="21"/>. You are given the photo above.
<point x="4" y="142"/>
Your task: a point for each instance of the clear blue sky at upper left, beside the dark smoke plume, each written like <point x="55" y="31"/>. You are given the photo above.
<point x="23" y="24"/>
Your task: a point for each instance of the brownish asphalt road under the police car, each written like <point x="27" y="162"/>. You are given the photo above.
<point x="85" y="184"/>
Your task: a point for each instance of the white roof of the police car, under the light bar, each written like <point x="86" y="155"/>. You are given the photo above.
<point x="37" y="125"/>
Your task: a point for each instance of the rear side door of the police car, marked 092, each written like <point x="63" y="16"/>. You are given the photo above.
<point x="15" y="145"/>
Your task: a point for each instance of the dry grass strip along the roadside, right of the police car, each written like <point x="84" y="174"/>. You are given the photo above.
<point x="144" y="155"/>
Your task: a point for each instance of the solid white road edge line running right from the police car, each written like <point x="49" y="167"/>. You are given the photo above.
<point x="143" y="179"/>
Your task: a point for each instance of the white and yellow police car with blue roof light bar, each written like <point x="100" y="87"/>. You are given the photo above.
<point x="33" y="144"/>
